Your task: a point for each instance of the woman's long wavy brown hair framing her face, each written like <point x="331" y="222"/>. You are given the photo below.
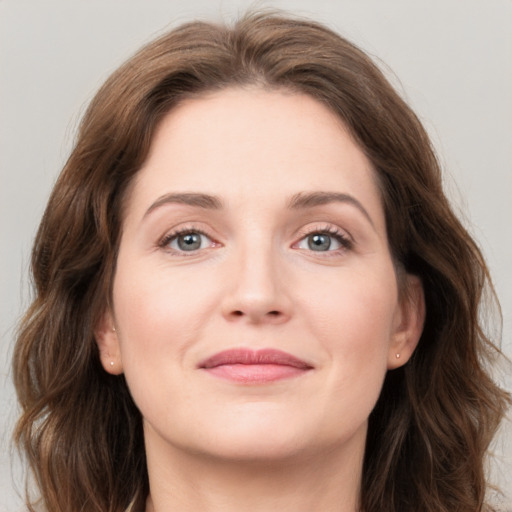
<point x="80" y="429"/>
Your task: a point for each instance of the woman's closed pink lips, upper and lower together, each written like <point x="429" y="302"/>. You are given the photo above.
<point x="249" y="366"/>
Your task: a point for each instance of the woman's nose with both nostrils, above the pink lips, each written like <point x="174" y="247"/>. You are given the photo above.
<point x="257" y="291"/>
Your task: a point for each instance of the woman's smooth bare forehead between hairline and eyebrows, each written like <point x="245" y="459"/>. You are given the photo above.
<point x="253" y="144"/>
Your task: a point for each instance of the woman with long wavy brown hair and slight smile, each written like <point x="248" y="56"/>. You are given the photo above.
<point x="252" y="294"/>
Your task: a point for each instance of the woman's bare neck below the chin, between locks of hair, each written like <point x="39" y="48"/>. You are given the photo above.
<point x="325" y="482"/>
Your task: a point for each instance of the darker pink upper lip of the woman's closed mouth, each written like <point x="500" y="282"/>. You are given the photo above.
<point x="248" y="356"/>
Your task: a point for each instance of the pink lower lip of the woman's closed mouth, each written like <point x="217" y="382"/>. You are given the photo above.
<point x="256" y="373"/>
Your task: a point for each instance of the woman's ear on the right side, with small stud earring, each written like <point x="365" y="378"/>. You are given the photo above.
<point x="409" y="322"/>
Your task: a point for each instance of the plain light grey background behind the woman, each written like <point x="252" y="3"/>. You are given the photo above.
<point x="454" y="63"/>
